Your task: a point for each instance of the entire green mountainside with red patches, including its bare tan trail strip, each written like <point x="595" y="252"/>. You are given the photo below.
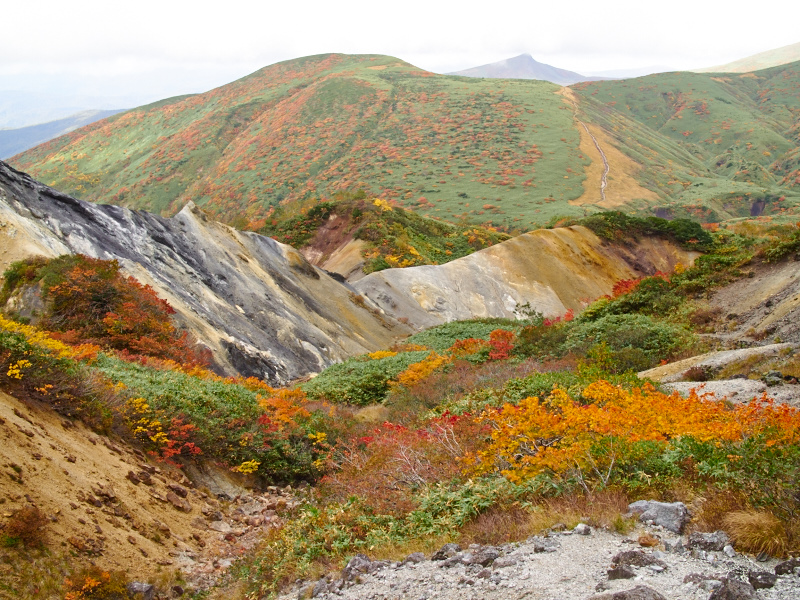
<point x="495" y="151"/>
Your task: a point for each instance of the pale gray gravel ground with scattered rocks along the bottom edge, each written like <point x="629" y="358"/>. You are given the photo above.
<point x="561" y="566"/>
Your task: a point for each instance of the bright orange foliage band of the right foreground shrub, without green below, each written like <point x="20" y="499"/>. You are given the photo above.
<point x="563" y="435"/>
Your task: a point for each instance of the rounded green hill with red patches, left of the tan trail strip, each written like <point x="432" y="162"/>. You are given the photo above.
<point x="504" y="151"/>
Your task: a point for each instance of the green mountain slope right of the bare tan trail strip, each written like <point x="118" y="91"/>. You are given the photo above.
<point x="716" y="147"/>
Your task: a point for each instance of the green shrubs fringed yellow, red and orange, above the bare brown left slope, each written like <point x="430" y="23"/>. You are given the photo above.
<point x="178" y="414"/>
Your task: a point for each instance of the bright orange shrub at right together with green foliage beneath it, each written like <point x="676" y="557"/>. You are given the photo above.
<point x="643" y="437"/>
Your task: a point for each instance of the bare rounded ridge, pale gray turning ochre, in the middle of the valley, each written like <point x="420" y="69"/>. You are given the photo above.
<point x="553" y="270"/>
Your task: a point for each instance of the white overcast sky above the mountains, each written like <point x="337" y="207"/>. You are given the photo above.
<point x="150" y="49"/>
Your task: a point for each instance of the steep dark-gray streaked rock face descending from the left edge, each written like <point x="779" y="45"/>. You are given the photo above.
<point x="260" y="307"/>
